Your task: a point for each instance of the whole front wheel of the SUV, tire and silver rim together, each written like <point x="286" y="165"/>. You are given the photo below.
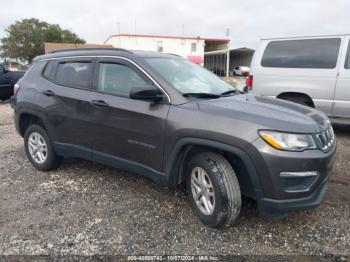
<point x="213" y="189"/>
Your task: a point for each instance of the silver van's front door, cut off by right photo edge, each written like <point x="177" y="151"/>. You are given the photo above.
<point x="342" y="92"/>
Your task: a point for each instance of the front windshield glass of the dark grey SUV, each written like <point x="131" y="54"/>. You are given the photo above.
<point x="188" y="77"/>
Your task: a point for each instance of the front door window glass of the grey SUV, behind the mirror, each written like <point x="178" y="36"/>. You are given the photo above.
<point x="118" y="79"/>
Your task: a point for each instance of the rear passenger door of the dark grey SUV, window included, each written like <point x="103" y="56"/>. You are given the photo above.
<point x="64" y="95"/>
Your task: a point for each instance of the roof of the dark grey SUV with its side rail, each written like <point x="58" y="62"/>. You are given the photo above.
<point x="101" y="52"/>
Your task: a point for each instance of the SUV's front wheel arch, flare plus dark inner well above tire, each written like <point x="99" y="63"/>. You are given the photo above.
<point x="238" y="158"/>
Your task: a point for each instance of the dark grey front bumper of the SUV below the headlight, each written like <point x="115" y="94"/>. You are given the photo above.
<point x="276" y="199"/>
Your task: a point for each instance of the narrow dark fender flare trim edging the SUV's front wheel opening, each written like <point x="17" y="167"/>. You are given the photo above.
<point x="182" y="147"/>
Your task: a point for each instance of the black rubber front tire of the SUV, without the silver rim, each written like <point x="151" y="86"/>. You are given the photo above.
<point x="227" y="192"/>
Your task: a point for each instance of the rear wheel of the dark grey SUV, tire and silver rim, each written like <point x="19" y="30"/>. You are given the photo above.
<point x="39" y="149"/>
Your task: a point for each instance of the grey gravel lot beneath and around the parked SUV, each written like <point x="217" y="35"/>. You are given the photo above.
<point x="85" y="208"/>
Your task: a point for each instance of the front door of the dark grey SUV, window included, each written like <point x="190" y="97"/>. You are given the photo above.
<point x="124" y="128"/>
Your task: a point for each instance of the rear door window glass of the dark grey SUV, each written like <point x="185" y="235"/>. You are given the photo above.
<point x="74" y="74"/>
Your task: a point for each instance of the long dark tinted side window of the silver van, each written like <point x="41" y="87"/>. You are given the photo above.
<point x="309" y="53"/>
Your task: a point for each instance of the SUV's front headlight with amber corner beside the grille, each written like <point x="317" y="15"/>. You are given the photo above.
<point x="288" y="141"/>
